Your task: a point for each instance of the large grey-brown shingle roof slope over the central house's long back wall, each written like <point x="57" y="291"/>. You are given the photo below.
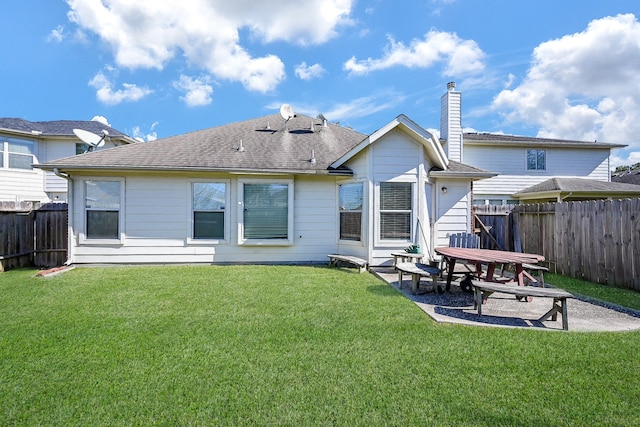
<point x="267" y="146"/>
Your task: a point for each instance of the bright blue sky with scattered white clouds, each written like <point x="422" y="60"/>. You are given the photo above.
<point x="152" y="69"/>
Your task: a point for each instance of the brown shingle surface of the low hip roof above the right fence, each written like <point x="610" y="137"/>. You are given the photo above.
<point x="580" y="185"/>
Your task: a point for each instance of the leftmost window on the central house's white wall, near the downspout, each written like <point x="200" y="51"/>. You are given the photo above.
<point x="102" y="209"/>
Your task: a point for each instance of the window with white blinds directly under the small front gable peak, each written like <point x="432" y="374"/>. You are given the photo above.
<point x="396" y="200"/>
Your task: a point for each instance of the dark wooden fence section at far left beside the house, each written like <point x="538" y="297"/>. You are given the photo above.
<point x="33" y="235"/>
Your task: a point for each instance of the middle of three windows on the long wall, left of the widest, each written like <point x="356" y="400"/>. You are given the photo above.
<point x="209" y="200"/>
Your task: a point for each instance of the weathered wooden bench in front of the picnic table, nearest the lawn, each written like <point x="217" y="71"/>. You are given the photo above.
<point x="482" y="290"/>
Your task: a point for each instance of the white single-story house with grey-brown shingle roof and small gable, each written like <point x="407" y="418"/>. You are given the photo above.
<point x="274" y="189"/>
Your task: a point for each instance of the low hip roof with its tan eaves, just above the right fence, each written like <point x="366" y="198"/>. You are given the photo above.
<point x="576" y="188"/>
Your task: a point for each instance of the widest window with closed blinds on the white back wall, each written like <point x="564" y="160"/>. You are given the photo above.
<point x="267" y="214"/>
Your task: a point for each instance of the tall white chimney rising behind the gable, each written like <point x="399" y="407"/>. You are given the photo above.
<point x="451" y="123"/>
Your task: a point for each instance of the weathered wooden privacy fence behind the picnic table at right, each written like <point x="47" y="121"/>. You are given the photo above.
<point x="596" y="240"/>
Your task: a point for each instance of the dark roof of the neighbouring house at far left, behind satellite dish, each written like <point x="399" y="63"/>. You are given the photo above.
<point x="59" y="128"/>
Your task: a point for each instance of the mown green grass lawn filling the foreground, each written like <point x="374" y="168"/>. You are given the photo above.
<point x="277" y="345"/>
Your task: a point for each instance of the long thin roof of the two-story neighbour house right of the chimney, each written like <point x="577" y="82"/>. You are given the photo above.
<point x="513" y="140"/>
